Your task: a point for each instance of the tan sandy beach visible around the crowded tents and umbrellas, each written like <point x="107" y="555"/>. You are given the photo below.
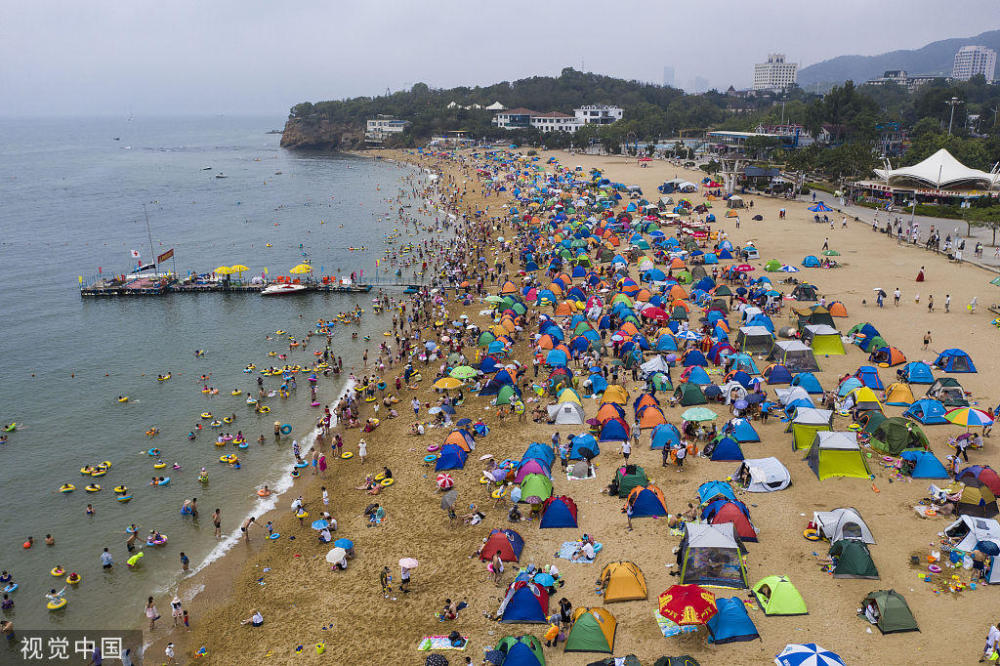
<point x="304" y="603"/>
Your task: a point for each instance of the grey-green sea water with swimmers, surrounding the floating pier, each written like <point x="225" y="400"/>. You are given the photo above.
<point x="71" y="203"/>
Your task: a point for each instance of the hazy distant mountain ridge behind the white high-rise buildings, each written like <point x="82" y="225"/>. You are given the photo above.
<point x="935" y="58"/>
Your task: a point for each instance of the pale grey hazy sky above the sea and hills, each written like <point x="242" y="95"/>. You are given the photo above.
<point x="188" y="57"/>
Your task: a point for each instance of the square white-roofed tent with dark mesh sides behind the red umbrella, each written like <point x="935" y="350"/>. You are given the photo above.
<point x="712" y="555"/>
